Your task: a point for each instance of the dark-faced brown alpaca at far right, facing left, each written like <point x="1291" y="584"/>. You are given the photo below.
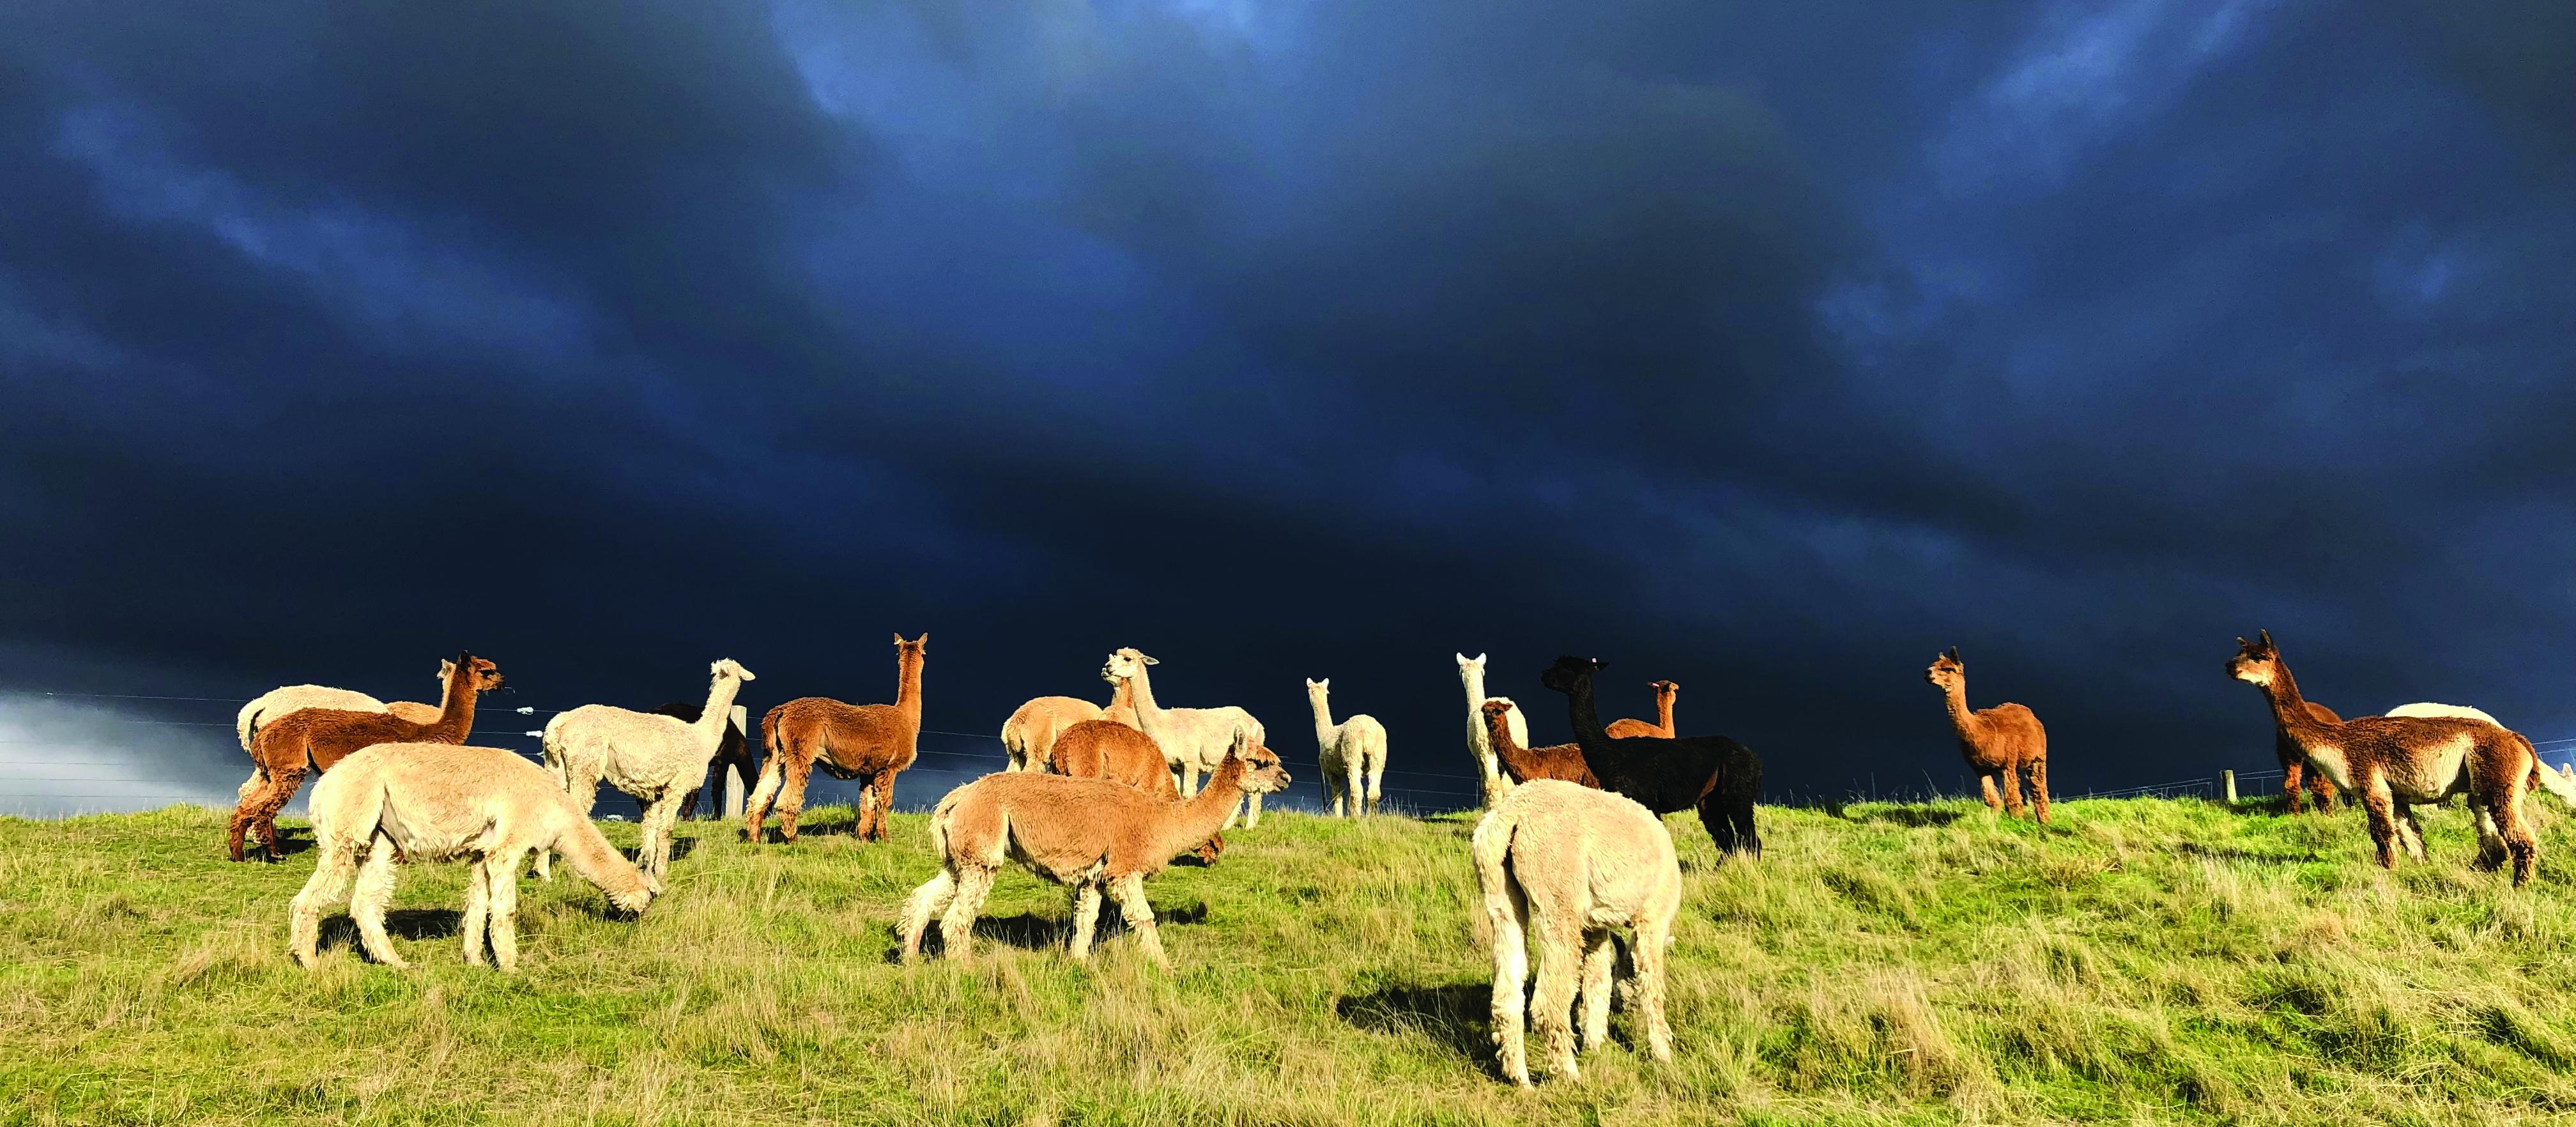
<point x="2400" y="760"/>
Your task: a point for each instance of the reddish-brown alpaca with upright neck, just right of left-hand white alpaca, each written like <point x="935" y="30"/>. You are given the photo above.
<point x="849" y="742"/>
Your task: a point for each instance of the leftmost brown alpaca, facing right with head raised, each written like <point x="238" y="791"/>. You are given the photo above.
<point x="321" y="737"/>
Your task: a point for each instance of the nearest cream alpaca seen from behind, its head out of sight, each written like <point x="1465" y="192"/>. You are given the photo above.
<point x="1575" y="866"/>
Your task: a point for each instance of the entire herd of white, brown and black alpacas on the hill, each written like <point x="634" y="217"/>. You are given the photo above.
<point x="1573" y="850"/>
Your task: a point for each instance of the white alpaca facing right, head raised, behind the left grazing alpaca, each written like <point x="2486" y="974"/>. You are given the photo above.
<point x="648" y="755"/>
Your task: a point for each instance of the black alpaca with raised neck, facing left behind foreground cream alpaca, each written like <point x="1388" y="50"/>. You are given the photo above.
<point x="1709" y="773"/>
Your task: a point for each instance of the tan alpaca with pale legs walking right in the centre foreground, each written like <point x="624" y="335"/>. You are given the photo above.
<point x="1091" y="835"/>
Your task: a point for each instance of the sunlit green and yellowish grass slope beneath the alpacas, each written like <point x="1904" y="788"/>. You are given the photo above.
<point x="2142" y="961"/>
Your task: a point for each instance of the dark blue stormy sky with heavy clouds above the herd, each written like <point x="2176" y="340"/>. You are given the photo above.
<point x="1763" y="349"/>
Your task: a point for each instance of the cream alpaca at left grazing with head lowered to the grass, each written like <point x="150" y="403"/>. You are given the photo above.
<point x="442" y="802"/>
